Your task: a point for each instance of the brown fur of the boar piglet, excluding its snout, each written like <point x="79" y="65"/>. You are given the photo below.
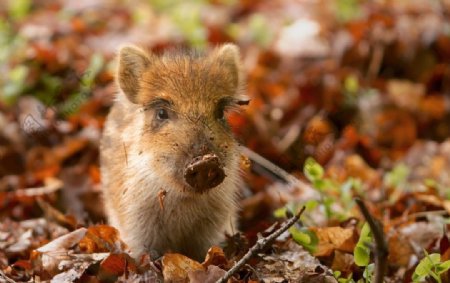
<point x="141" y="156"/>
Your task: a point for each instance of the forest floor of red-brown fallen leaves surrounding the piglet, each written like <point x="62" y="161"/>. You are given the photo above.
<point x="350" y="98"/>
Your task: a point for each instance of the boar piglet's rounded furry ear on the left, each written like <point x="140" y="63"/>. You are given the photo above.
<point x="132" y="63"/>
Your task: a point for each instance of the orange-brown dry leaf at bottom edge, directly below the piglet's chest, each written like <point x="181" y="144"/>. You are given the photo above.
<point x="176" y="267"/>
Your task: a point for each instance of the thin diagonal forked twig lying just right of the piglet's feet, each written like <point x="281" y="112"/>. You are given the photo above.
<point x="260" y="245"/>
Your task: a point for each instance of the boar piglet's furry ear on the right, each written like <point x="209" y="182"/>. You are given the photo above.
<point x="229" y="56"/>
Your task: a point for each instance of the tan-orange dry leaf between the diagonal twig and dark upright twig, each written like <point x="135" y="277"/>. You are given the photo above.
<point x="335" y="238"/>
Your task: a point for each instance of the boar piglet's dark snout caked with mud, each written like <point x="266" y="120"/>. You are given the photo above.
<point x="204" y="172"/>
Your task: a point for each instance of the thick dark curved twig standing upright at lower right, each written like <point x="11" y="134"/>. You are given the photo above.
<point x="381" y="248"/>
